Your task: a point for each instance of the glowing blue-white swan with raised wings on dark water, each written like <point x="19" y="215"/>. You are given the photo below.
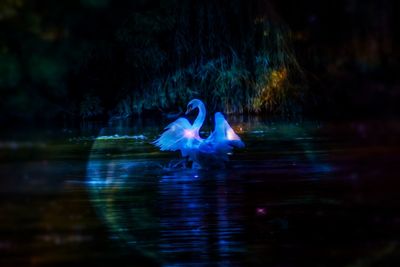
<point x="184" y="136"/>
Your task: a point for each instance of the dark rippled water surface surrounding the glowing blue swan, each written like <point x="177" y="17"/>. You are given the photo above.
<point x="299" y="194"/>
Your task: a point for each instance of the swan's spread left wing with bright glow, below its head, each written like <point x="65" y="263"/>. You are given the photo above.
<point x="178" y="135"/>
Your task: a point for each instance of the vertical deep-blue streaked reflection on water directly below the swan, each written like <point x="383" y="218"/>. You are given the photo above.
<point x="200" y="216"/>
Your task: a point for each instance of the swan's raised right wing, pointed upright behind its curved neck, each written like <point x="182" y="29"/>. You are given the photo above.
<point x="224" y="137"/>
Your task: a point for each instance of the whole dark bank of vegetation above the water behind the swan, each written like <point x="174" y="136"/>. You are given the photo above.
<point x="93" y="59"/>
